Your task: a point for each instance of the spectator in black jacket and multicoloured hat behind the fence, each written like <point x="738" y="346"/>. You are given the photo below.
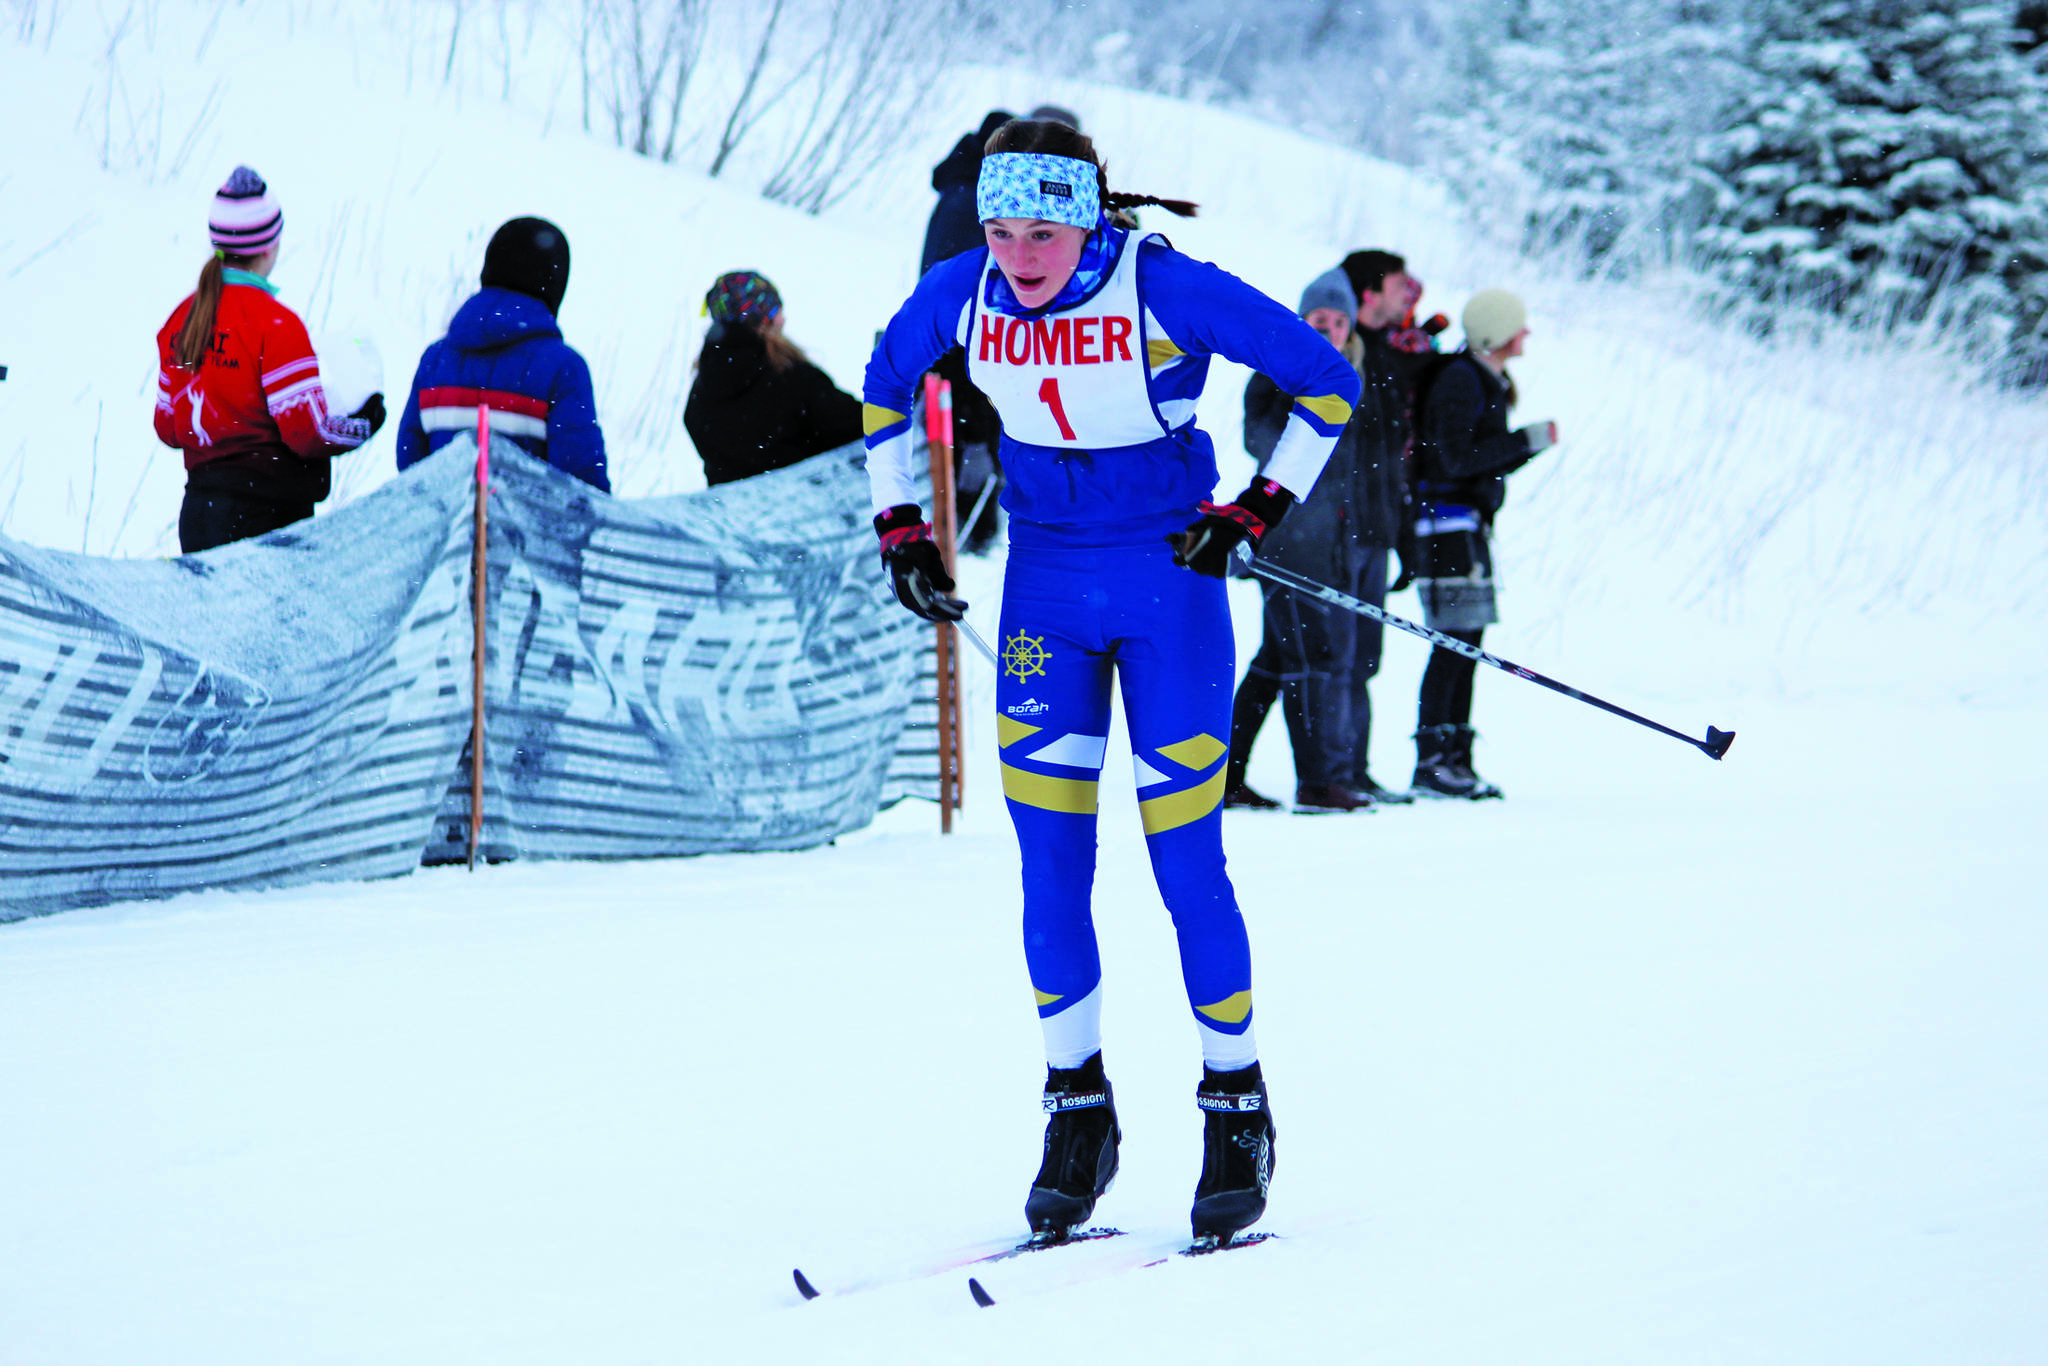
<point x="759" y="402"/>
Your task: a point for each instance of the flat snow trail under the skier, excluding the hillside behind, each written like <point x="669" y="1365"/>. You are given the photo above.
<point x="1656" y="1062"/>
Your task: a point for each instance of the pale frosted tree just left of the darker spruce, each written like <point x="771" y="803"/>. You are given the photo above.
<point x="1578" y="122"/>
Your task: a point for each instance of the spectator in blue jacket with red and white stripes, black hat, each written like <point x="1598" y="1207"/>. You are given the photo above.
<point x="505" y="353"/>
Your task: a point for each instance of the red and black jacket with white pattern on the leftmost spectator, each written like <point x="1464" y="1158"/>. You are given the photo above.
<point x="253" y="419"/>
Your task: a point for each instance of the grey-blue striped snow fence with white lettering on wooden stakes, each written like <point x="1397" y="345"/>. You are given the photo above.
<point x="710" y="673"/>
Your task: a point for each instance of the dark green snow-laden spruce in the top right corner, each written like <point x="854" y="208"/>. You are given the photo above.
<point x="1893" y="167"/>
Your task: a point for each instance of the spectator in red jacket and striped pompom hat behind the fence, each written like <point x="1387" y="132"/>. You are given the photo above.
<point x="239" y="386"/>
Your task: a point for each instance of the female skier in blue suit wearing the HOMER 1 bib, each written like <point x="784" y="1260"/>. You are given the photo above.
<point x="1095" y="343"/>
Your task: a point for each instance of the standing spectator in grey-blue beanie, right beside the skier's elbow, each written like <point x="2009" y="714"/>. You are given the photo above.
<point x="1310" y="646"/>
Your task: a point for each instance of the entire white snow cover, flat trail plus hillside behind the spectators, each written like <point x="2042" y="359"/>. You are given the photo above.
<point x="1656" y="1062"/>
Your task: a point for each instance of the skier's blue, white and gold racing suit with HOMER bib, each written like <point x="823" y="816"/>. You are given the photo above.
<point x="1103" y="462"/>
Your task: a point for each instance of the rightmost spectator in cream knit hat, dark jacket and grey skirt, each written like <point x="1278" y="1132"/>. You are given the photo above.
<point x="1463" y="458"/>
